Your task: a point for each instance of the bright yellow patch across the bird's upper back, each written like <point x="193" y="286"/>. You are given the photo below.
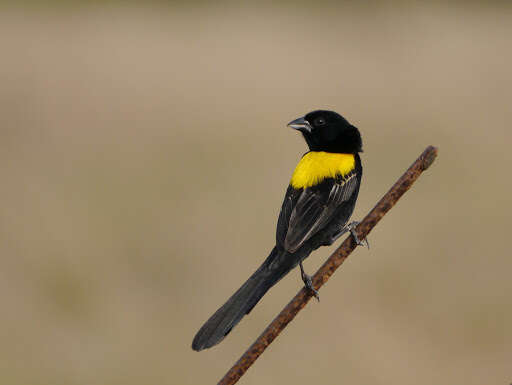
<point x="314" y="167"/>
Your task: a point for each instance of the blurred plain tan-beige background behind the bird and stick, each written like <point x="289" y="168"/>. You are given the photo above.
<point x="144" y="155"/>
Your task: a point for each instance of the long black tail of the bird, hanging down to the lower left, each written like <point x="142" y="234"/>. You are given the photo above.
<point x="275" y="267"/>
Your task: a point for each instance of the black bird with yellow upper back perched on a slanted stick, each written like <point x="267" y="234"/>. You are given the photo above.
<point x="317" y="206"/>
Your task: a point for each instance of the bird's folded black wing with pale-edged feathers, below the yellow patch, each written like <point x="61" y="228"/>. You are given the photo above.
<point x="306" y="211"/>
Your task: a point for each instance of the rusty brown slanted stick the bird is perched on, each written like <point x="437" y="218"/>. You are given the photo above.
<point x="327" y="269"/>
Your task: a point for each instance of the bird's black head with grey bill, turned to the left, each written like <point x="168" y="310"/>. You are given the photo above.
<point x="328" y="131"/>
